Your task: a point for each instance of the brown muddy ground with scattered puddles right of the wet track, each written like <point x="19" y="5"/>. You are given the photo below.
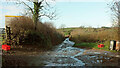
<point x="92" y="55"/>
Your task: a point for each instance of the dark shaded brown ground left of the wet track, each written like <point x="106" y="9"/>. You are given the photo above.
<point x="22" y="56"/>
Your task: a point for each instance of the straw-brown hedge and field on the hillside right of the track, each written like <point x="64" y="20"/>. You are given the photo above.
<point x="90" y="34"/>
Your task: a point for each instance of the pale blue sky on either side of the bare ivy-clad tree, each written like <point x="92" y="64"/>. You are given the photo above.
<point x="72" y="13"/>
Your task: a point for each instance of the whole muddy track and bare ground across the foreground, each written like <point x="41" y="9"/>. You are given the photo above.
<point x="63" y="55"/>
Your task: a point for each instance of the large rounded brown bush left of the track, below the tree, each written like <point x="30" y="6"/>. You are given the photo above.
<point x="45" y="35"/>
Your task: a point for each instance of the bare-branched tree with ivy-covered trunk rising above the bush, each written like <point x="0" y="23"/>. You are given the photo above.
<point x="39" y="9"/>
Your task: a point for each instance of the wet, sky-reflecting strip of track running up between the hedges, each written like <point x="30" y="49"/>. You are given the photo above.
<point x="65" y="55"/>
